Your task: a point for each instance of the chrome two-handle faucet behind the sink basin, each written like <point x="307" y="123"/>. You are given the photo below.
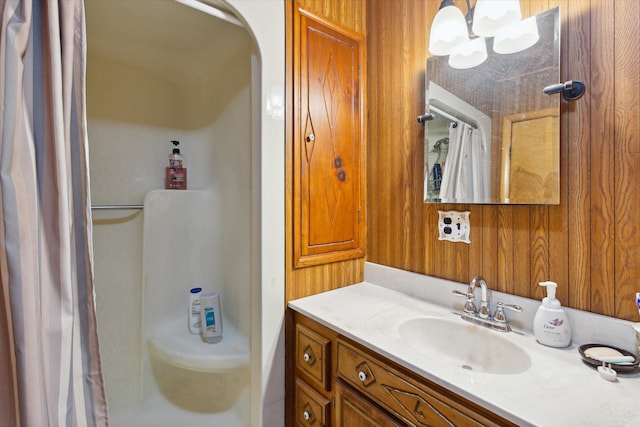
<point x="482" y="315"/>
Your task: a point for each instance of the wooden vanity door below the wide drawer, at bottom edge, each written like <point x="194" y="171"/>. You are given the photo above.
<point x="353" y="410"/>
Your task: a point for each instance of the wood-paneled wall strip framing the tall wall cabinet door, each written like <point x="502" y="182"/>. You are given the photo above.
<point x="306" y="281"/>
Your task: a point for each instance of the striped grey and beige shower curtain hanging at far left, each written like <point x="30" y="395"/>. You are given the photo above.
<point x="50" y="371"/>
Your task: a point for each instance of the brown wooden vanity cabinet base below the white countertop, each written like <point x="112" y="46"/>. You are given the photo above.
<point x="339" y="383"/>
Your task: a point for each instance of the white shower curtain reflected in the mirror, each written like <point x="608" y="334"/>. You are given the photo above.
<point x="465" y="176"/>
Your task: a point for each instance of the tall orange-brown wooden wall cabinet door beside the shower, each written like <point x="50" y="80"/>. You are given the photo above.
<point x="328" y="163"/>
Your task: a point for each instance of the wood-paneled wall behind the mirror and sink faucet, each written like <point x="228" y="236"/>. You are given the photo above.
<point x="590" y="242"/>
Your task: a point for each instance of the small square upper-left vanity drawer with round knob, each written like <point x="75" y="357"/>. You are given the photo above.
<point x="313" y="356"/>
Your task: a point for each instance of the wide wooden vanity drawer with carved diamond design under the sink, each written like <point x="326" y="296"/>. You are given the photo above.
<point x="409" y="400"/>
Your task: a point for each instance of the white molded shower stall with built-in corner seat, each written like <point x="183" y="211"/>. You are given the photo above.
<point x="211" y="78"/>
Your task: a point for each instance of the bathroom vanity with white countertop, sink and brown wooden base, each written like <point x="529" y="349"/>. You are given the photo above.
<point x="358" y="359"/>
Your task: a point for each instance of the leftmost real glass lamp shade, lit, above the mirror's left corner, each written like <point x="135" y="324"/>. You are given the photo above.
<point x="448" y="30"/>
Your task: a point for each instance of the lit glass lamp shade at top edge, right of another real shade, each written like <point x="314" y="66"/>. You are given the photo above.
<point x="491" y="16"/>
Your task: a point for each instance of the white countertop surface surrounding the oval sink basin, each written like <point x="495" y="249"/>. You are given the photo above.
<point x="557" y="390"/>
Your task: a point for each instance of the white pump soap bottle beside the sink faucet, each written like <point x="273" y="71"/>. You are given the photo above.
<point x="551" y="324"/>
